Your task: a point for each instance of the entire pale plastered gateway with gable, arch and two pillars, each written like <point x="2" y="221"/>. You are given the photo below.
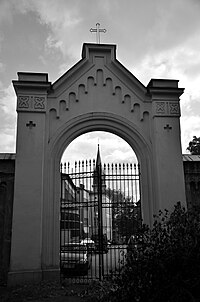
<point x="98" y="93"/>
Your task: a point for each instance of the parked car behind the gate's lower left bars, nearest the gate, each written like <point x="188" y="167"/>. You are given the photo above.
<point x="74" y="259"/>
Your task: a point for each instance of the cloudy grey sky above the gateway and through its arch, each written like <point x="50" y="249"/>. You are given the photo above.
<point x="154" y="38"/>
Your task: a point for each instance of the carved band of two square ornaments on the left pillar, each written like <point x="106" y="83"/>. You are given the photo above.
<point x="35" y="103"/>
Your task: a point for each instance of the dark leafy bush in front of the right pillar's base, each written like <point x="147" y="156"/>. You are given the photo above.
<point x="167" y="266"/>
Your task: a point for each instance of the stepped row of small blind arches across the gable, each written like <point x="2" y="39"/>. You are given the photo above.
<point x="111" y="89"/>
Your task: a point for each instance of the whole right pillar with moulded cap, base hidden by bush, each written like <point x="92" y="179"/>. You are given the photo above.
<point x="166" y="143"/>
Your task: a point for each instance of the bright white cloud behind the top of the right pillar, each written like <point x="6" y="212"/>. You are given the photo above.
<point x="180" y="63"/>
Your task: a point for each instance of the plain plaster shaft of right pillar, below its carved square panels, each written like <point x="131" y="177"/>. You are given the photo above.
<point x="168" y="163"/>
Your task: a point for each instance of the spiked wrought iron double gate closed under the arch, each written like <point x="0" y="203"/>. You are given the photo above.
<point x="100" y="210"/>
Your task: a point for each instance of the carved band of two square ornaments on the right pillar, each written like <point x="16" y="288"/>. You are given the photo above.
<point x="165" y="108"/>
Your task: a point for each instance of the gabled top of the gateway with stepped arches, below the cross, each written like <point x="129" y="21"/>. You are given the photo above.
<point x="98" y="83"/>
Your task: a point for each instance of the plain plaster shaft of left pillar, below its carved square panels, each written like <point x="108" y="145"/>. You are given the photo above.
<point x="28" y="195"/>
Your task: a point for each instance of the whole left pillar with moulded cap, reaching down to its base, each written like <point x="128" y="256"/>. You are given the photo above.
<point x="26" y="248"/>
